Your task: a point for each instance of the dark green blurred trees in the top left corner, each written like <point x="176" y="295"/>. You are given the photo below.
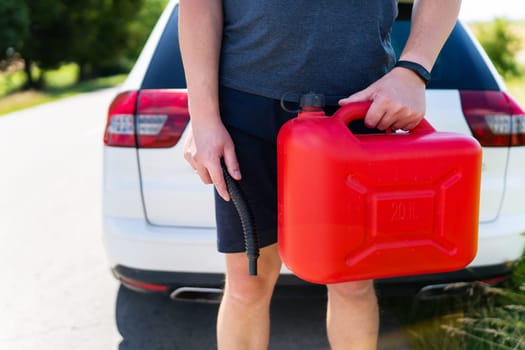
<point x="103" y="37"/>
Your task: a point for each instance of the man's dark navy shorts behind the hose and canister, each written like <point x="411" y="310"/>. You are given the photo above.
<point x="253" y="123"/>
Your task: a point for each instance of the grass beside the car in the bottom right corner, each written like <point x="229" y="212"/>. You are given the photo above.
<point x="484" y="318"/>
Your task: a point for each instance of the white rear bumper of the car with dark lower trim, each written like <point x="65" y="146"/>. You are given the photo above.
<point x="184" y="256"/>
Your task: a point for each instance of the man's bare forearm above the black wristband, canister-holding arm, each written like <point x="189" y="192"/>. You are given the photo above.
<point x="432" y="22"/>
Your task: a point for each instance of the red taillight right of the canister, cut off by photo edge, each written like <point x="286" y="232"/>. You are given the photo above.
<point x="494" y="118"/>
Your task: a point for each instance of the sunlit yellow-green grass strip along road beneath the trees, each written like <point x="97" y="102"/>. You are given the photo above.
<point x="59" y="83"/>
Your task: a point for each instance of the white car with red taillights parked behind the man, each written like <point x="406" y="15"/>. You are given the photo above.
<point x="159" y="226"/>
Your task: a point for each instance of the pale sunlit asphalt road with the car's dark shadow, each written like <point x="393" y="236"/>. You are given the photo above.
<point x="57" y="291"/>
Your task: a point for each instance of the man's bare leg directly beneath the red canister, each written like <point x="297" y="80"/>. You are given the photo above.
<point x="352" y="316"/>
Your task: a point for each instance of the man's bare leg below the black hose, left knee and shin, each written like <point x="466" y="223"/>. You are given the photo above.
<point x="244" y="315"/>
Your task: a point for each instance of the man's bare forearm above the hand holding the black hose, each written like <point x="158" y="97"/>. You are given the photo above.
<point x="200" y="36"/>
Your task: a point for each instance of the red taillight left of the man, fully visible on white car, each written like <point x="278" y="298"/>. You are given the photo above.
<point x="147" y="119"/>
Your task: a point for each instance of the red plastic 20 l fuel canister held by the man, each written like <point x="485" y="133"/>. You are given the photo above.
<point x="353" y="207"/>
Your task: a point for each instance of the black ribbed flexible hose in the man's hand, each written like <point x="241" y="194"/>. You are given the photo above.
<point x="251" y="242"/>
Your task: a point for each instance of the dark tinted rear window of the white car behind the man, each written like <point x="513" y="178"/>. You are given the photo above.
<point x="459" y="65"/>
